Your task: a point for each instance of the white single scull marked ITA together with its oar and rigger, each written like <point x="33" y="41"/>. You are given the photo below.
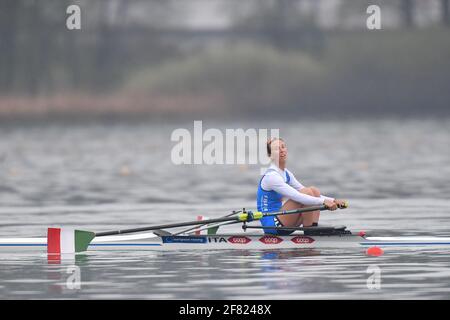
<point x="157" y="239"/>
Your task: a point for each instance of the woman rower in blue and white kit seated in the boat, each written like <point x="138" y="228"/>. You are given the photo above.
<point x="278" y="183"/>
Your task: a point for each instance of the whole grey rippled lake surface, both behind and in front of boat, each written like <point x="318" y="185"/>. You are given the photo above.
<point x="102" y="176"/>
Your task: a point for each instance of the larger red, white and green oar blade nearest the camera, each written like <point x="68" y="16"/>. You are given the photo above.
<point x="68" y="240"/>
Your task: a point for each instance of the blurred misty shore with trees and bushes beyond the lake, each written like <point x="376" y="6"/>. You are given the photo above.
<point x="217" y="58"/>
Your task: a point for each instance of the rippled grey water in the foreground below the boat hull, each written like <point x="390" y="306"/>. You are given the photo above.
<point x="240" y="274"/>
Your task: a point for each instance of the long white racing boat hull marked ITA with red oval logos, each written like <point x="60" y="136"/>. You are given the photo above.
<point x="149" y="241"/>
